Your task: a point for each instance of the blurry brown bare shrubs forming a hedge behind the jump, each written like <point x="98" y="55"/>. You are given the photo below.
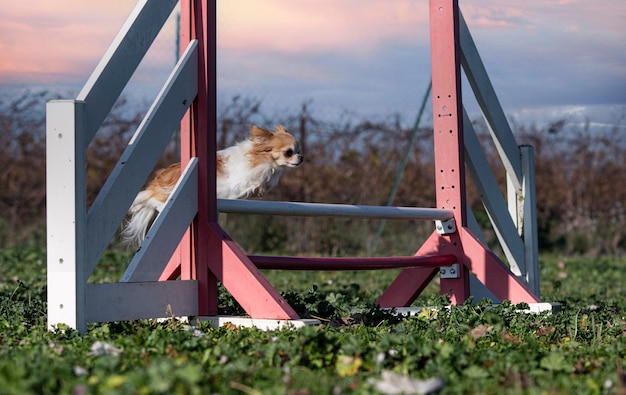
<point x="580" y="175"/>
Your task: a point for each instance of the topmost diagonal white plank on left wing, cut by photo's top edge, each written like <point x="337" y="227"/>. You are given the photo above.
<point x="121" y="60"/>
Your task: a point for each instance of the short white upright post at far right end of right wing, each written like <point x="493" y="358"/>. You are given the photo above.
<point x="529" y="220"/>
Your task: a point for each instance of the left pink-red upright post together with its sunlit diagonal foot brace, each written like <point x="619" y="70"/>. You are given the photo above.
<point x="211" y="254"/>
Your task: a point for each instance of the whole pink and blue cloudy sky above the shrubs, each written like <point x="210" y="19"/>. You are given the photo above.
<point x="368" y="58"/>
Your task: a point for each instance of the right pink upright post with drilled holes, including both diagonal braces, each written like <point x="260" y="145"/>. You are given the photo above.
<point x="450" y="183"/>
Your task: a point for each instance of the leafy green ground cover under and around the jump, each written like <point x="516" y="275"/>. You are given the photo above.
<point x="473" y="349"/>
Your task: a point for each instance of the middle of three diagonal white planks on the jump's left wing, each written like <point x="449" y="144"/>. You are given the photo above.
<point x="137" y="161"/>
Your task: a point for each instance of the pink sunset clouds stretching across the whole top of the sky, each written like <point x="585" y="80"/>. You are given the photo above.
<point x="42" y="40"/>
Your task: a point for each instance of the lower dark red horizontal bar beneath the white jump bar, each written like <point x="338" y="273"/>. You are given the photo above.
<point x="377" y="263"/>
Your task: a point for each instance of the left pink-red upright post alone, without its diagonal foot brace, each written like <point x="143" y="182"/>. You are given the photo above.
<point x="198" y="140"/>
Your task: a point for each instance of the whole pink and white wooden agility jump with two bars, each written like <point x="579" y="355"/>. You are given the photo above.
<point x="186" y="252"/>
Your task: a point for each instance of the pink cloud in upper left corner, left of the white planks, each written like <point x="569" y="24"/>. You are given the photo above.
<point x="41" y="41"/>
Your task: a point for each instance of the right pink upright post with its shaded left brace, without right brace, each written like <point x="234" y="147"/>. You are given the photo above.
<point x="449" y="164"/>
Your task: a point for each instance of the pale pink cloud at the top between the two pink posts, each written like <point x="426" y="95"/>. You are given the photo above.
<point x="310" y="26"/>
